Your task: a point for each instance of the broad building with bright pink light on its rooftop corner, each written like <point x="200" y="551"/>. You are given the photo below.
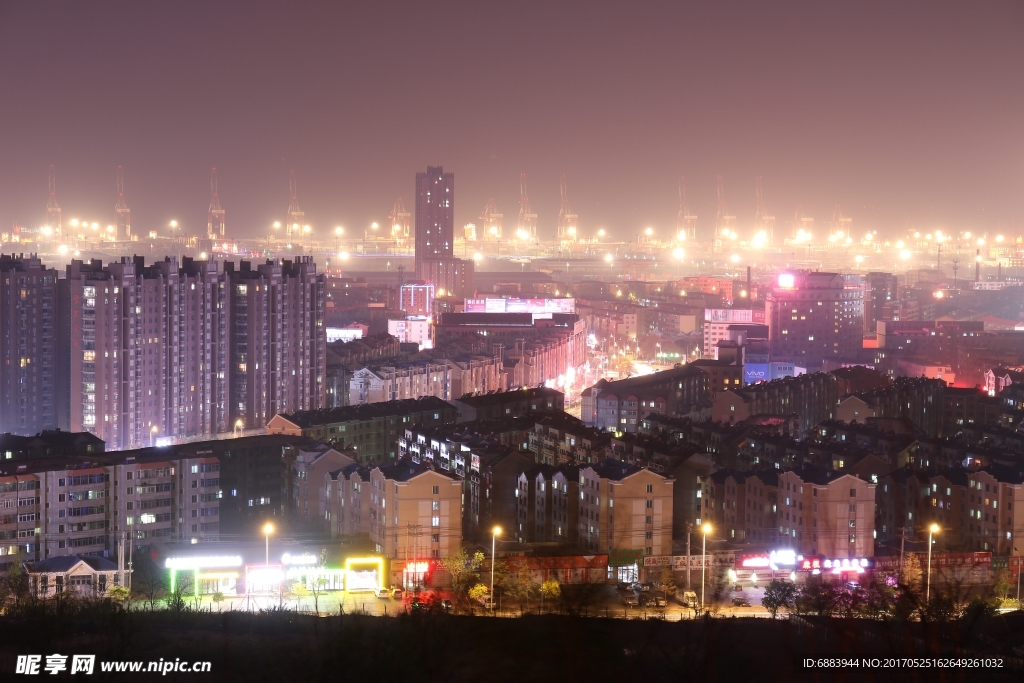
<point x="813" y="317"/>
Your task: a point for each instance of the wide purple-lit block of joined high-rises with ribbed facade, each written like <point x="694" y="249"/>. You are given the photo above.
<point x="168" y="352"/>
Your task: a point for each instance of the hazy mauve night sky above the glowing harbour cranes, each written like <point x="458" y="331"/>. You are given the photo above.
<point x="907" y="112"/>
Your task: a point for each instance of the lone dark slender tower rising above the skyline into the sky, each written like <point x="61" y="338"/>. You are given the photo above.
<point x="435" y="216"/>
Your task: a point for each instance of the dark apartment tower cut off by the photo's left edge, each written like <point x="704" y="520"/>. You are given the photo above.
<point x="28" y="346"/>
